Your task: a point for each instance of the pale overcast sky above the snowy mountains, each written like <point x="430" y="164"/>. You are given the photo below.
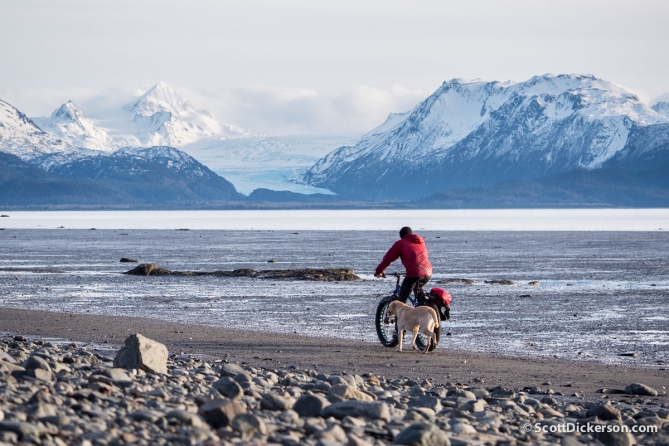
<point x="315" y="66"/>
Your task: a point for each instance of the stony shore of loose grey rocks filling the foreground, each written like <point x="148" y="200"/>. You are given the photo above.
<point x="63" y="394"/>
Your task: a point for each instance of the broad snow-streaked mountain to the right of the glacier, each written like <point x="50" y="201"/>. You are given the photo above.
<point x="476" y="133"/>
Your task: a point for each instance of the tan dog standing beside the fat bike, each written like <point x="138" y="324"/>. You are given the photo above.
<point x="414" y="319"/>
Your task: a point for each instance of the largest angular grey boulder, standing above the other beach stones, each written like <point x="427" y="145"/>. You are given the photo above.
<point x="142" y="353"/>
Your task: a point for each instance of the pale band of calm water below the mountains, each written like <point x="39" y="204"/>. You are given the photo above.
<point x="362" y="220"/>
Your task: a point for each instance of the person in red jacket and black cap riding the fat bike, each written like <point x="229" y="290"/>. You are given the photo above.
<point x="412" y="251"/>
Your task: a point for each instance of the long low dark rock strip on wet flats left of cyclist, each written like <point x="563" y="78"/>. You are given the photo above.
<point x="314" y="274"/>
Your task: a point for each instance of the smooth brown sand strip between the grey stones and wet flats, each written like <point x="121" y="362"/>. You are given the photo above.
<point x="336" y="356"/>
